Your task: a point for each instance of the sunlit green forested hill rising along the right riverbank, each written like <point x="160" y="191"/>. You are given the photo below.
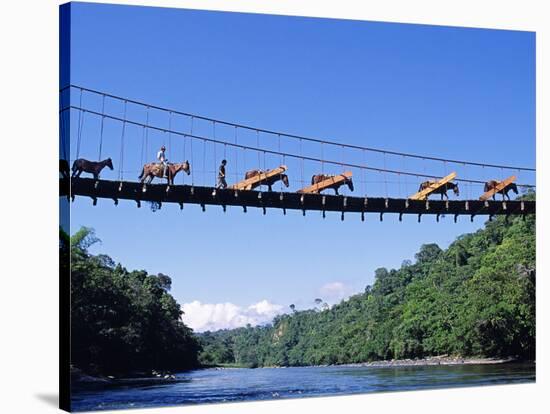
<point x="476" y="298"/>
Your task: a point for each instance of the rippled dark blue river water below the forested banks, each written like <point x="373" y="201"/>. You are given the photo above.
<point x="241" y="384"/>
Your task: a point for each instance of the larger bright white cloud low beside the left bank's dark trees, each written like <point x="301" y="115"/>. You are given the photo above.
<point x="213" y="316"/>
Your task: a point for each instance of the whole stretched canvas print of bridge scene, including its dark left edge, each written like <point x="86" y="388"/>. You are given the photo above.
<point x="259" y="207"/>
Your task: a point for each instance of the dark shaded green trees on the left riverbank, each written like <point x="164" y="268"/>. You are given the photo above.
<point x="123" y="321"/>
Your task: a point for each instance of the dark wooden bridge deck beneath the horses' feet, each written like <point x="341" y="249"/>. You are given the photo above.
<point x="186" y="194"/>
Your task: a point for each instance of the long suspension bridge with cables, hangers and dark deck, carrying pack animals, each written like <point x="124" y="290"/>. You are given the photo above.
<point x="268" y="169"/>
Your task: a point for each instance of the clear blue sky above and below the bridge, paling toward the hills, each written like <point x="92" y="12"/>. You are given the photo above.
<point x="448" y="92"/>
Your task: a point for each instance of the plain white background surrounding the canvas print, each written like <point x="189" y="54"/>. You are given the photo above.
<point x="29" y="279"/>
